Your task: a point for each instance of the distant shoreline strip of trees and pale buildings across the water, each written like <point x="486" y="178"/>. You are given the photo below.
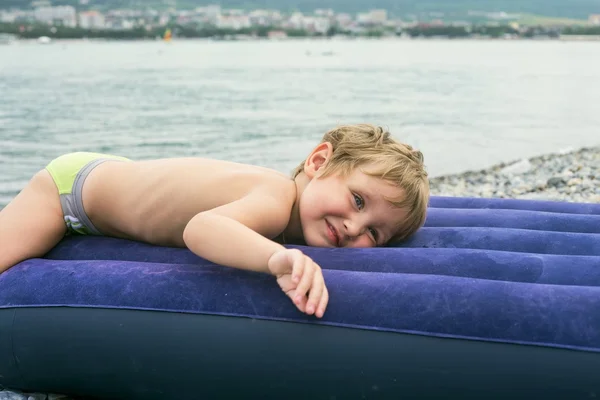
<point x="174" y="32"/>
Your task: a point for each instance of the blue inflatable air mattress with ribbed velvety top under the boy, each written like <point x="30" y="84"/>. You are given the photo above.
<point x="493" y="298"/>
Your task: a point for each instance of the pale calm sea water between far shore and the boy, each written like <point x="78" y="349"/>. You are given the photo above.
<point x="465" y="104"/>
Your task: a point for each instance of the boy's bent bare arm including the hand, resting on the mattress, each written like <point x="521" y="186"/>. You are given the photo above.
<point x="234" y="235"/>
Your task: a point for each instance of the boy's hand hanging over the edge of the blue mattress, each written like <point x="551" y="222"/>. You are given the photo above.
<point x="301" y="279"/>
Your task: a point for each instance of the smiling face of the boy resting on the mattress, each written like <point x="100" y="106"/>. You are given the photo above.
<point x="349" y="211"/>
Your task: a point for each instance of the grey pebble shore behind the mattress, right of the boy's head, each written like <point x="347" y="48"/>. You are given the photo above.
<point x="570" y="176"/>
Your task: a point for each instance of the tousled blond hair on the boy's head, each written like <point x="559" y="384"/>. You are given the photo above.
<point x="392" y="161"/>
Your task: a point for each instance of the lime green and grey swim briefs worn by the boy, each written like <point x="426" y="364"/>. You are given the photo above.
<point x="69" y="172"/>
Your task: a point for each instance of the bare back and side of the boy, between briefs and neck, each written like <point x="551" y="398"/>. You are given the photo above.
<point x="153" y="201"/>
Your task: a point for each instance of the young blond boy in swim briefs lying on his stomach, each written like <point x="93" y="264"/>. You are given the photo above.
<point x="357" y="188"/>
